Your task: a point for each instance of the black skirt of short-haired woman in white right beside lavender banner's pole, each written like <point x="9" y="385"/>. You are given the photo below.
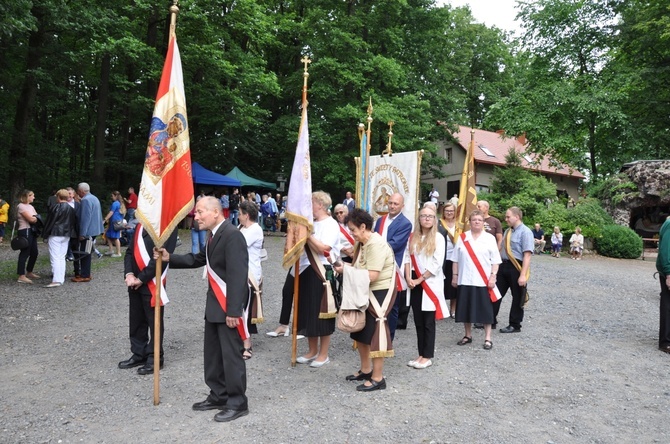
<point x="309" y="306"/>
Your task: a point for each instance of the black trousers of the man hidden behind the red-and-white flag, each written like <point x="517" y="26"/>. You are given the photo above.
<point x="141" y="316"/>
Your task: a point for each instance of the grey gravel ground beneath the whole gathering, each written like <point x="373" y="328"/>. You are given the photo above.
<point x="585" y="368"/>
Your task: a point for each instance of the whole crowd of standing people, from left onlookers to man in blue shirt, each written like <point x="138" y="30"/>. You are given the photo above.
<point x="396" y="264"/>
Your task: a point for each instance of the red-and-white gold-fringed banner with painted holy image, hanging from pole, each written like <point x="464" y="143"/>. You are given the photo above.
<point x="166" y="191"/>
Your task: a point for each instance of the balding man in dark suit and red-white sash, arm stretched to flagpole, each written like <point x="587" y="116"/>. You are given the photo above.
<point x="227" y="270"/>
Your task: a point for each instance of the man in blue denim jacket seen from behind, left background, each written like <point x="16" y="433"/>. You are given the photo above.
<point x="89" y="220"/>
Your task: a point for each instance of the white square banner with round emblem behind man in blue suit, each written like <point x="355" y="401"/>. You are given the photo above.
<point x="398" y="173"/>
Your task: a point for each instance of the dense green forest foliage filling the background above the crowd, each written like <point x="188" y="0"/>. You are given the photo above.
<point x="588" y="81"/>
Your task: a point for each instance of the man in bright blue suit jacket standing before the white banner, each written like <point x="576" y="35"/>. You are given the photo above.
<point x="396" y="228"/>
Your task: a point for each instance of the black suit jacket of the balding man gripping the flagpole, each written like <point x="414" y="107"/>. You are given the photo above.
<point x="229" y="259"/>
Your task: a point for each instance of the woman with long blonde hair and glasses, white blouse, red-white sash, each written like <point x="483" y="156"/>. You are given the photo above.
<point x="425" y="279"/>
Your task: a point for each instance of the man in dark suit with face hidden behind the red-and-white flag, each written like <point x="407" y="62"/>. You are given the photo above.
<point x="140" y="273"/>
